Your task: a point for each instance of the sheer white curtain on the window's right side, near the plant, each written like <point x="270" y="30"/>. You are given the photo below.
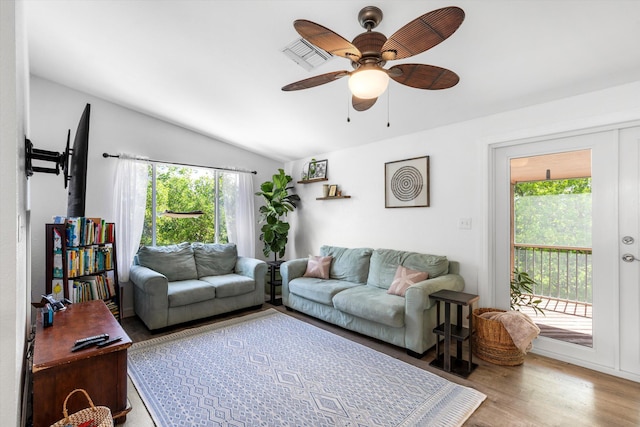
<point x="239" y="212"/>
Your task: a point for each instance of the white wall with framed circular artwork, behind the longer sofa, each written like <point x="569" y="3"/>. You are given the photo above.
<point x="459" y="184"/>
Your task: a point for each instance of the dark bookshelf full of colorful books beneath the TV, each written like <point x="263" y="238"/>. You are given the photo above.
<point x="81" y="261"/>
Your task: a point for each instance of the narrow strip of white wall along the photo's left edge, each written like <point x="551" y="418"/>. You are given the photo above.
<point x="14" y="316"/>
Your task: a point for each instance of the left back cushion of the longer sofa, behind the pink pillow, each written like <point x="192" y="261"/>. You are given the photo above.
<point x="350" y="264"/>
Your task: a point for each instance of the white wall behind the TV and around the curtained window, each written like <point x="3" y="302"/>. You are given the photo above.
<point x="113" y="129"/>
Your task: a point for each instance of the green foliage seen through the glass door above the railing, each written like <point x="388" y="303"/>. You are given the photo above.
<point x="553" y="213"/>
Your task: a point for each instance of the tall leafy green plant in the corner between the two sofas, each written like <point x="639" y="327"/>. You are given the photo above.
<point x="278" y="203"/>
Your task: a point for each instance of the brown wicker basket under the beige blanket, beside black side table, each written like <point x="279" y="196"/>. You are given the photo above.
<point x="492" y="342"/>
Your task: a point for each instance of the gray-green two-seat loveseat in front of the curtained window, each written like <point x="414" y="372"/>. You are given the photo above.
<point x="178" y="283"/>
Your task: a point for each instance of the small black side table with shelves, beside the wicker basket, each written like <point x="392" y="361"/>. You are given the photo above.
<point x="445" y="361"/>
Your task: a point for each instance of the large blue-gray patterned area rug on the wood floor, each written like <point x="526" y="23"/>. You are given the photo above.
<point x="270" y="369"/>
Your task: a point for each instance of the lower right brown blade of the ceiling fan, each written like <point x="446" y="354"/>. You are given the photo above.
<point x="423" y="76"/>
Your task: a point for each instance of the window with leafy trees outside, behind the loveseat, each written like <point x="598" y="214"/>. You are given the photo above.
<point x="184" y="189"/>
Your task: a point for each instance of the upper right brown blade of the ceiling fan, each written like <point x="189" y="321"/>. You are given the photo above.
<point x="423" y="33"/>
